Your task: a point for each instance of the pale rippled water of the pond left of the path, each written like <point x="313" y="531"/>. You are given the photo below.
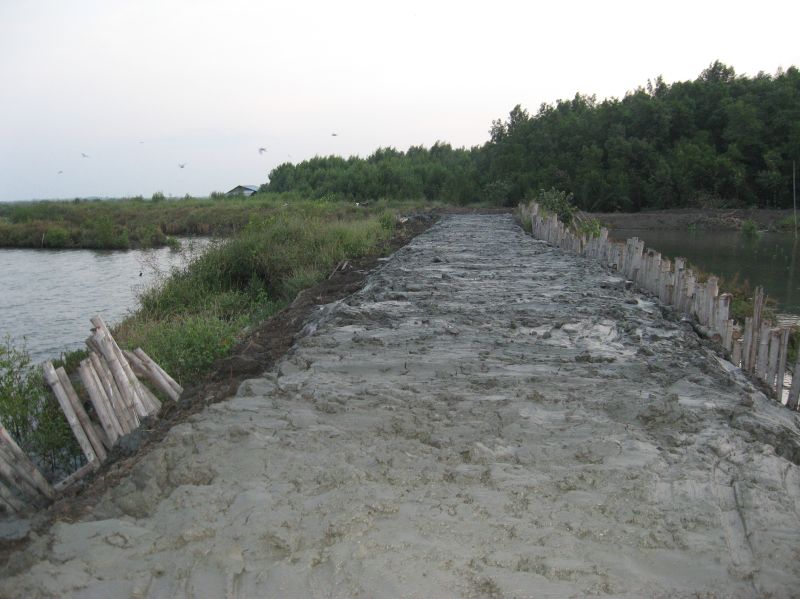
<point x="48" y="296"/>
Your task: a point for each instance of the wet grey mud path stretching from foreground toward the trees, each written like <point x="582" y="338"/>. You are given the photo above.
<point x="487" y="417"/>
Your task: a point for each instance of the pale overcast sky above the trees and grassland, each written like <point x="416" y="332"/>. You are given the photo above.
<point x="143" y="86"/>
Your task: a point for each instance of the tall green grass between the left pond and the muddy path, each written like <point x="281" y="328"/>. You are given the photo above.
<point x="195" y="315"/>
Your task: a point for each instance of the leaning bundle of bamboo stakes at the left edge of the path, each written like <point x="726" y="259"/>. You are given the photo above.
<point x="119" y="402"/>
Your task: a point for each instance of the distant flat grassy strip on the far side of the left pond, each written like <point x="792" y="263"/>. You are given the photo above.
<point x="129" y="223"/>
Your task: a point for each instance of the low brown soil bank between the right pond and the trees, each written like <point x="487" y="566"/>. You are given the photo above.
<point x="682" y="219"/>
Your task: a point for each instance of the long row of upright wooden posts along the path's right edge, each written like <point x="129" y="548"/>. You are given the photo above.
<point x="758" y="347"/>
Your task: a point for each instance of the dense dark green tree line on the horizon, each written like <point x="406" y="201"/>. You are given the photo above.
<point x="719" y="140"/>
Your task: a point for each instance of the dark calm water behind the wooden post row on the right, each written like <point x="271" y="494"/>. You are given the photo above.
<point x="771" y="260"/>
